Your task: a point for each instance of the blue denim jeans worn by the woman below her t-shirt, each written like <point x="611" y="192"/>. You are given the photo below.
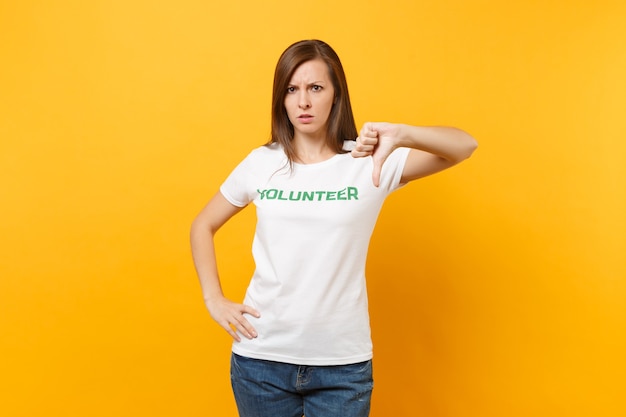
<point x="274" y="389"/>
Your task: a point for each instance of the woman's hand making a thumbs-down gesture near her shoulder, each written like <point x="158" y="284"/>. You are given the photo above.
<point x="377" y="140"/>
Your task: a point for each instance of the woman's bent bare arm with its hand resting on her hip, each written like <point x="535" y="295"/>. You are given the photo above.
<point x="226" y="313"/>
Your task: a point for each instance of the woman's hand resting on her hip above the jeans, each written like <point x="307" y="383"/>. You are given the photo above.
<point x="230" y="316"/>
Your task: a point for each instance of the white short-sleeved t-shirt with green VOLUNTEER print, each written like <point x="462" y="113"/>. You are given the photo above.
<point x="314" y="225"/>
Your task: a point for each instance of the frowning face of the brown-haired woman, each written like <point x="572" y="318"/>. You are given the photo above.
<point x="309" y="99"/>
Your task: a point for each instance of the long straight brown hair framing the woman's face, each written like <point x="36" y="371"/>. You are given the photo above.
<point x="340" y="126"/>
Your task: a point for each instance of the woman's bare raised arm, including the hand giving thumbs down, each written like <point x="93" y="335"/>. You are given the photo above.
<point x="433" y="149"/>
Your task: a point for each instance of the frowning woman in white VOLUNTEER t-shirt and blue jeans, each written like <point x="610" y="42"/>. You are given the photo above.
<point x="301" y="337"/>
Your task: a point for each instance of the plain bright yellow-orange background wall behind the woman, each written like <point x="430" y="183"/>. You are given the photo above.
<point x="496" y="288"/>
